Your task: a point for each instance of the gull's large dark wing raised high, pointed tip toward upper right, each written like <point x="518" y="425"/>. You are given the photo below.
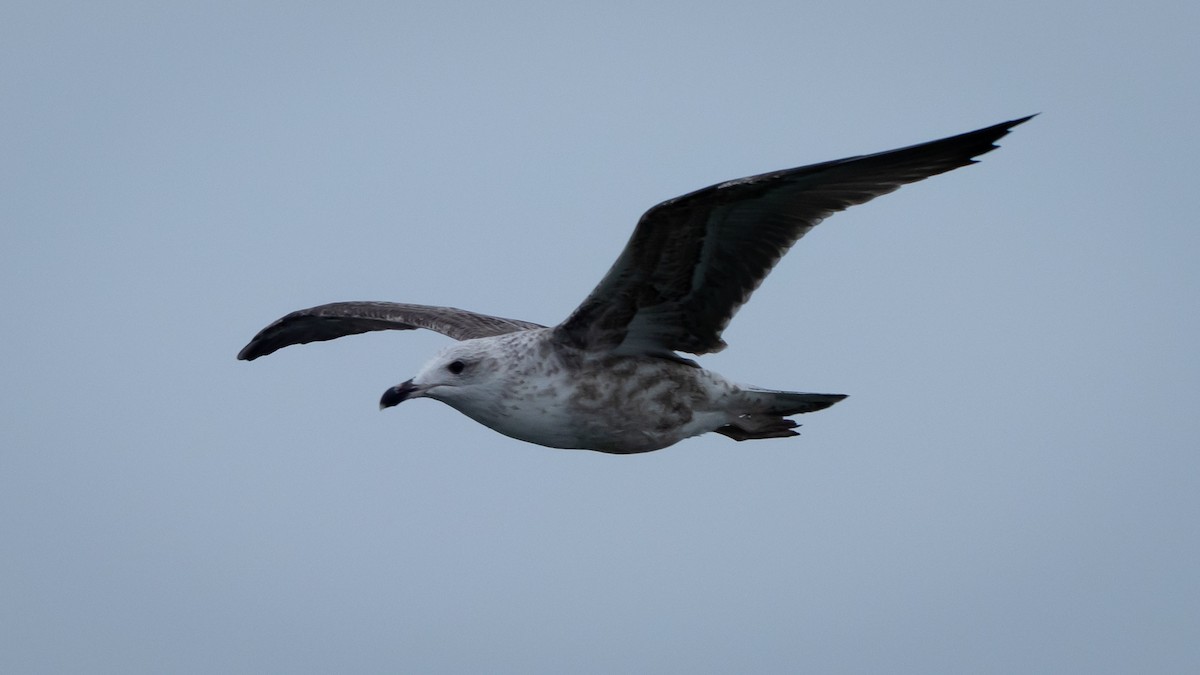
<point x="695" y="260"/>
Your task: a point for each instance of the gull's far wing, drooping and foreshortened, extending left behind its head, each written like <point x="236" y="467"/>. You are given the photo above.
<point x="335" y="320"/>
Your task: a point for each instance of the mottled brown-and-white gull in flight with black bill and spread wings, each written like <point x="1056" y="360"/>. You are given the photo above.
<point x="610" y="378"/>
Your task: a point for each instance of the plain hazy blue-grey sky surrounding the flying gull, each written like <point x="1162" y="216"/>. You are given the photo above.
<point x="1011" y="488"/>
